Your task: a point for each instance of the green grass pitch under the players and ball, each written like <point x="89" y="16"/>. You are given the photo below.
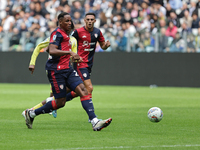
<point x="127" y="105"/>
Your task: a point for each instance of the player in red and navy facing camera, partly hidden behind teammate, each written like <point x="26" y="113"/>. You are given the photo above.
<point x="87" y="37"/>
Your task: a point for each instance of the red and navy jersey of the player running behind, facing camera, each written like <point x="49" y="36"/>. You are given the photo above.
<point x="86" y="45"/>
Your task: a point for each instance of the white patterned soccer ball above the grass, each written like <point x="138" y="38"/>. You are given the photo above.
<point x="155" y="114"/>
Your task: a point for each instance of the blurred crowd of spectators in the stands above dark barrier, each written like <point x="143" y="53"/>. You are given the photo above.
<point x="130" y="25"/>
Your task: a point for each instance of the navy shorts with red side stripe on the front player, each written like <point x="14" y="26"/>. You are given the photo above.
<point x="62" y="79"/>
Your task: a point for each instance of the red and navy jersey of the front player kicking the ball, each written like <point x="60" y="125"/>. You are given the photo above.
<point x="62" y="40"/>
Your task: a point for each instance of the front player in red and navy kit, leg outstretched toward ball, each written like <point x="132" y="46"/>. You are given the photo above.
<point x="61" y="75"/>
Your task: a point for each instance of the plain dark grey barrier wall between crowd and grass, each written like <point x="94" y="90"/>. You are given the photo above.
<point x="138" y="69"/>
